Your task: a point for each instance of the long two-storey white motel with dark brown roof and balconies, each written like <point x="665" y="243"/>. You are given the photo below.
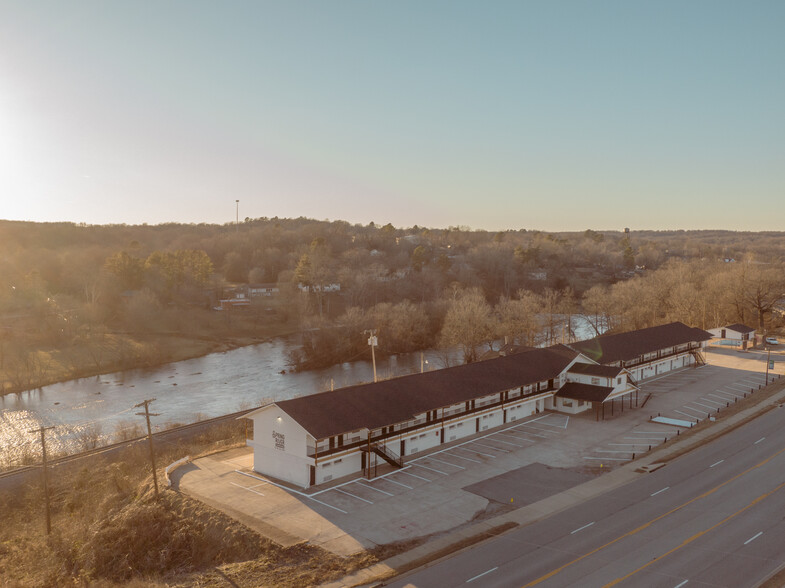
<point x="317" y="438"/>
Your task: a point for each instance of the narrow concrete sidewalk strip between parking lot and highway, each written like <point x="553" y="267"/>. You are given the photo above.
<point x="444" y="546"/>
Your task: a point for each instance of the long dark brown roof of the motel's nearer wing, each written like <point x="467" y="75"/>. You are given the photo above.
<point x="393" y="401"/>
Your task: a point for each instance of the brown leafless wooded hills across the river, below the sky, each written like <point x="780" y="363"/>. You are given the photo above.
<point x="78" y="300"/>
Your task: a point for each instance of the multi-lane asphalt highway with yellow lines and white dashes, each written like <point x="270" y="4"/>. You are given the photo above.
<point x="714" y="517"/>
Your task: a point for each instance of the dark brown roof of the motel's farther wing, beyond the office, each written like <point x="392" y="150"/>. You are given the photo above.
<point x="626" y="346"/>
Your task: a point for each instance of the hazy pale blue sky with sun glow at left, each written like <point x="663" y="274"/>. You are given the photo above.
<point x="549" y="115"/>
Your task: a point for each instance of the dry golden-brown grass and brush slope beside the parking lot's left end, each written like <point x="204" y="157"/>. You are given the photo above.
<point x="108" y="530"/>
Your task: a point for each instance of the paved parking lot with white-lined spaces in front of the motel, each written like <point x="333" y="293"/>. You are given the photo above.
<point x="448" y="487"/>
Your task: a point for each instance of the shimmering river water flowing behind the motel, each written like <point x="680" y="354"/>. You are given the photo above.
<point x="97" y="410"/>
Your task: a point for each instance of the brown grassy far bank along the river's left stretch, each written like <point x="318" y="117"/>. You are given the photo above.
<point x="119" y="351"/>
